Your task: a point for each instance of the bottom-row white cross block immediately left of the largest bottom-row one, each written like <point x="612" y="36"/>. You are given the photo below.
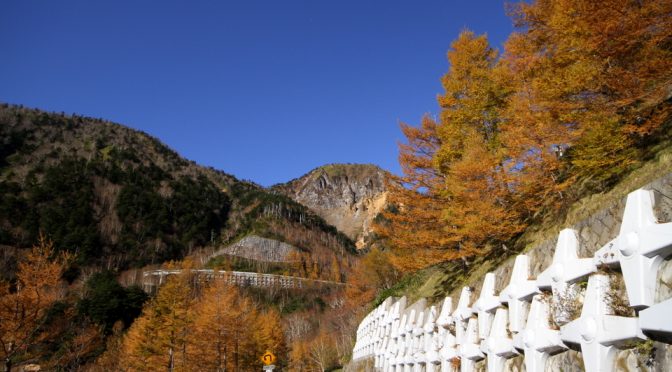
<point x="538" y="340"/>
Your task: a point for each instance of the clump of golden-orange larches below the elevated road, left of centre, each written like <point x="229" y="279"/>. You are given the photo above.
<point x="218" y="329"/>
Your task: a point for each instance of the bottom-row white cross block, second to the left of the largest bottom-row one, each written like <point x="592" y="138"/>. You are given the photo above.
<point x="498" y="345"/>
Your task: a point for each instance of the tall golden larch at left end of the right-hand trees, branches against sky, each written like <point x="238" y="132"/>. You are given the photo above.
<point x="455" y="193"/>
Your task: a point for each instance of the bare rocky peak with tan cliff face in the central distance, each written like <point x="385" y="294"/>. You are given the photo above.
<point x="348" y="196"/>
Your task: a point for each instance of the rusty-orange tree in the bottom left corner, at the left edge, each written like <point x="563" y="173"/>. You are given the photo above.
<point x="25" y="303"/>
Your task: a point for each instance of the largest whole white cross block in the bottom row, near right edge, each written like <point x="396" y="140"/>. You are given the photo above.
<point x="596" y="331"/>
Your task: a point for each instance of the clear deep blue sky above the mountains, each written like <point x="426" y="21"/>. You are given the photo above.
<point x="264" y="90"/>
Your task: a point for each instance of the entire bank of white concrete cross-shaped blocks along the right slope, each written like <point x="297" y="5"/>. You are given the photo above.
<point x="533" y="316"/>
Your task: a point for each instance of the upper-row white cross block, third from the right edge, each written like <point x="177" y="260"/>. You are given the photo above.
<point x="518" y="293"/>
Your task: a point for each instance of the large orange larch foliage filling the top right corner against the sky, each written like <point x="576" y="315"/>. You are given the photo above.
<point x="591" y="80"/>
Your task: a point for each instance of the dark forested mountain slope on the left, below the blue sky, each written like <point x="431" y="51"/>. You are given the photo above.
<point x="119" y="198"/>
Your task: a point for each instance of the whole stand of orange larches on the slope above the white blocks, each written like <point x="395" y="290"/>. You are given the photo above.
<point x="579" y="98"/>
